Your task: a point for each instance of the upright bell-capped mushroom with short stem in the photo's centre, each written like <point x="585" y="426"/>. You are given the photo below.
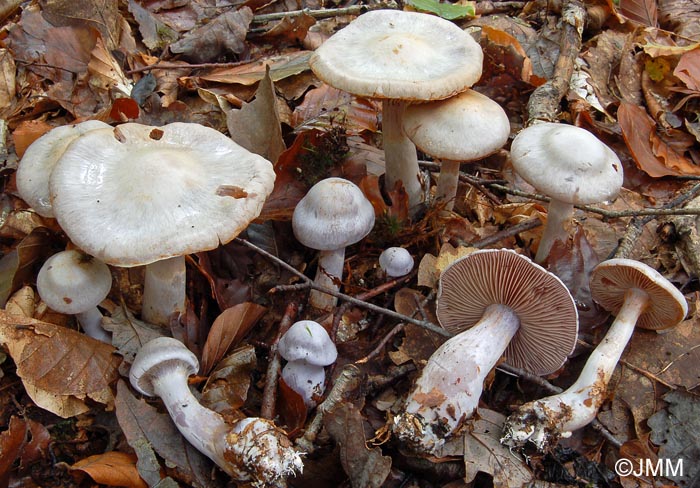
<point x="332" y="215"/>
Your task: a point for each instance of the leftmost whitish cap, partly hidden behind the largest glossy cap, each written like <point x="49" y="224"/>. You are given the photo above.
<point x="39" y="160"/>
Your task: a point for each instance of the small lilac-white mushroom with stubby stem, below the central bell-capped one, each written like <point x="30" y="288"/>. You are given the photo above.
<point x="307" y="347"/>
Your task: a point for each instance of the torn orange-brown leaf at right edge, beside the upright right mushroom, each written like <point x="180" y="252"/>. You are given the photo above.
<point x="651" y="154"/>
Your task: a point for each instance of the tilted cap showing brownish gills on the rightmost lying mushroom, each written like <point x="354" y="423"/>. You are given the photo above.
<point x="611" y="279"/>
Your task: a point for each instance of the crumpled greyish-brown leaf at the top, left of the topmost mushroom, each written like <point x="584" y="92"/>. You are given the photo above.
<point x="222" y="36"/>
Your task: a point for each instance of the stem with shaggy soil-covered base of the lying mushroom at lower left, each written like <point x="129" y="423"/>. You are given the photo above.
<point x="250" y="449"/>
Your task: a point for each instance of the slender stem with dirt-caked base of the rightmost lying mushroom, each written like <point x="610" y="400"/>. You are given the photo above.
<point x="544" y="421"/>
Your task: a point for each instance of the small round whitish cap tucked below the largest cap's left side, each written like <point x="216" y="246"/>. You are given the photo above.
<point x="71" y="282"/>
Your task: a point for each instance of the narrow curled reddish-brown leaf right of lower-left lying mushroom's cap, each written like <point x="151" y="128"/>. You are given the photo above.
<point x="230" y="325"/>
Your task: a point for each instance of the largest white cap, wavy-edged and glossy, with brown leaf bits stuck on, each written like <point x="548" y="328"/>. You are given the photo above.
<point x="137" y="194"/>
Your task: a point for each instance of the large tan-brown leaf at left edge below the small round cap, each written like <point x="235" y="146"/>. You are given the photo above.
<point x="60" y="368"/>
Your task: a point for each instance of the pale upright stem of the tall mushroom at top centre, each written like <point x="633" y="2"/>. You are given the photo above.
<point x="400" y="155"/>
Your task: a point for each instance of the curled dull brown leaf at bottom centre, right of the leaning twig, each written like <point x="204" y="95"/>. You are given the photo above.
<point x="366" y="468"/>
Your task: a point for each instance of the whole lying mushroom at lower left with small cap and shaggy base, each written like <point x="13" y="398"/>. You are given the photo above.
<point x="250" y="449"/>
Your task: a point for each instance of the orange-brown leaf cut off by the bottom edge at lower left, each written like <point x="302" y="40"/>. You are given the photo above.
<point x="112" y="469"/>
